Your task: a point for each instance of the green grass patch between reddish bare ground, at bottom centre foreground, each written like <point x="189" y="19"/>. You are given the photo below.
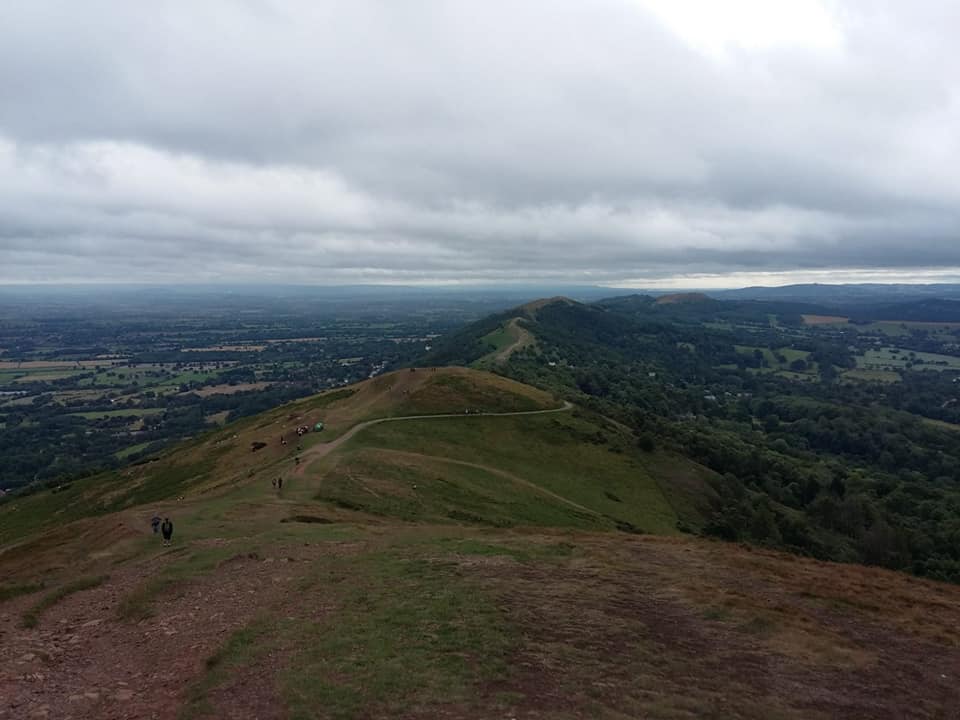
<point x="409" y="634"/>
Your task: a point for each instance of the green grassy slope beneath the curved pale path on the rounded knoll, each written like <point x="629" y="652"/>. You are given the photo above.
<point x="569" y="457"/>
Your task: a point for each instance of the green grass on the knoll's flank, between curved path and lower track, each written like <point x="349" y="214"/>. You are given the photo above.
<point x="567" y="456"/>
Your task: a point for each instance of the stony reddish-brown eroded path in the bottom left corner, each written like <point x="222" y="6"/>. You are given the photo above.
<point x="85" y="660"/>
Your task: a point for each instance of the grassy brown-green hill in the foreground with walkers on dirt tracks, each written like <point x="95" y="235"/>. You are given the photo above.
<point x="452" y="544"/>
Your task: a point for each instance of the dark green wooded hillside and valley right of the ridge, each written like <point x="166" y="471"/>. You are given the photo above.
<point x="814" y="448"/>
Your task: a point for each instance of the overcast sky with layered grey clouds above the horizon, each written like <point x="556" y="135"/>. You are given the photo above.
<point x="652" y="143"/>
